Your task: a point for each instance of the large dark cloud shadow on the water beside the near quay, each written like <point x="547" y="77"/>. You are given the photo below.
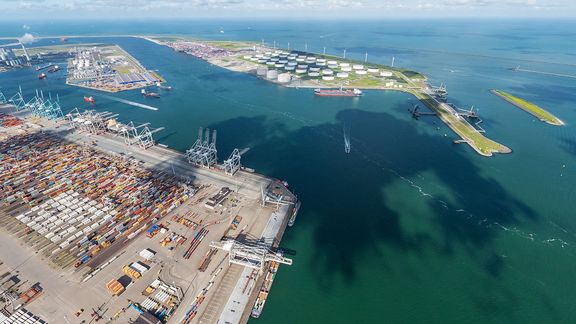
<point x="343" y="198"/>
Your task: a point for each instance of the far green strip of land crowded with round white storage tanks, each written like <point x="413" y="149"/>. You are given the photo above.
<point x="294" y="67"/>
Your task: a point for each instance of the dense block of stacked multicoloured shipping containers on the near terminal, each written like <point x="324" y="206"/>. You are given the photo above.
<point x="69" y="207"/>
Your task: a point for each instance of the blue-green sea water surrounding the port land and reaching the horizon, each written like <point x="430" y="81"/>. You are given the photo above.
<point x="408" y="227"/>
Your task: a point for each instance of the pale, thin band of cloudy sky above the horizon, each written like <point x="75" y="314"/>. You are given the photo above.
<point x="71" y="9"/>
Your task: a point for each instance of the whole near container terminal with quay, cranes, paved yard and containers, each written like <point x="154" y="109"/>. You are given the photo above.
<point x="99" y="222"/>
